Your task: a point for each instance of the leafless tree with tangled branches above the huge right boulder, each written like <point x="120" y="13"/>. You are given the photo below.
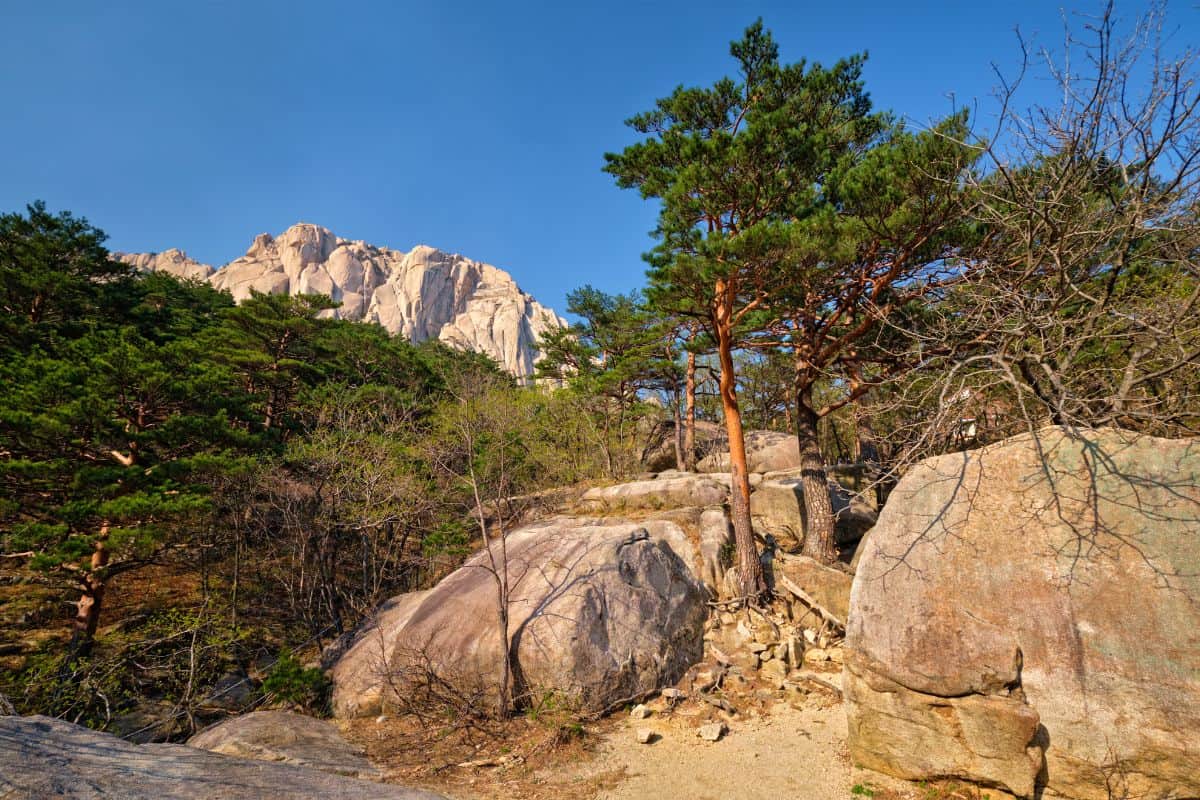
<point x="1079" y="304"/>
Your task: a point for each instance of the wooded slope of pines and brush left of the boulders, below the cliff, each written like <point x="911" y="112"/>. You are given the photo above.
<point x="211" y="485"/>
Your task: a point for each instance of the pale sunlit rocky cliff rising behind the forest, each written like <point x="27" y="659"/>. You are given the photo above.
<point x="422" y="294"/>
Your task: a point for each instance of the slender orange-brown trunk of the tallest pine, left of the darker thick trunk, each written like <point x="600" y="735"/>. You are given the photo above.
<point x="749" y="567"/>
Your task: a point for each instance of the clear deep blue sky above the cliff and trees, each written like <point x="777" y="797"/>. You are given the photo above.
<point x="477" y="128"/>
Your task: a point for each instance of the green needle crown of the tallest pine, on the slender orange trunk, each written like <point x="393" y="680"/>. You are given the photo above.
<point x="734" y="163"/>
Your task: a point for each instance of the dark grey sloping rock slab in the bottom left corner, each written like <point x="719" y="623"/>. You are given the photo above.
<point x="43" y="757"/>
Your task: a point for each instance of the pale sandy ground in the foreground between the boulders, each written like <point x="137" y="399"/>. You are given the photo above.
<point x="785" y="748"/>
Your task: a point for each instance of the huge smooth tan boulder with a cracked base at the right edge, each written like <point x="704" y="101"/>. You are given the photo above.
<point x="1028" y="616"/>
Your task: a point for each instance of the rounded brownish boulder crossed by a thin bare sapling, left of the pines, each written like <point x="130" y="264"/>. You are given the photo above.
<point x="601" y="612"/>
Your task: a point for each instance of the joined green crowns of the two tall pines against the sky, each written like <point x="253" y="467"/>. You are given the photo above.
<point x="794" y="216"/>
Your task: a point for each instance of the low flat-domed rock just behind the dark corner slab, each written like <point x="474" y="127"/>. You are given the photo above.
<point x="289" y="738"/>
